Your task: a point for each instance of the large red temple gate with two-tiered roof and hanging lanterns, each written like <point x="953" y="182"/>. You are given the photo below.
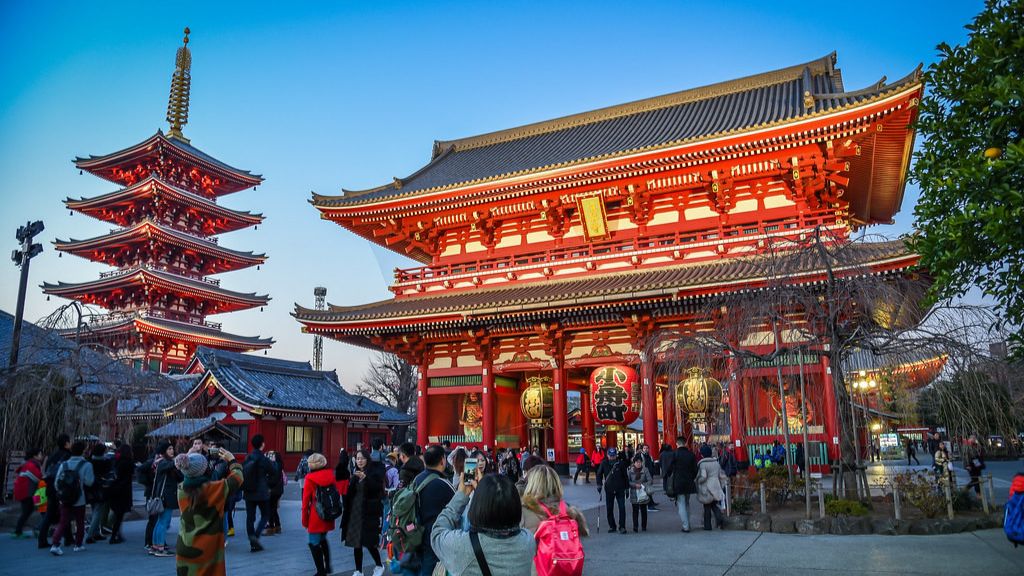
<point x="552" y="253"/>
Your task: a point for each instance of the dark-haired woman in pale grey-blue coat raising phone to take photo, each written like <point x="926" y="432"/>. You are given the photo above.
<point x="502" y="545"/>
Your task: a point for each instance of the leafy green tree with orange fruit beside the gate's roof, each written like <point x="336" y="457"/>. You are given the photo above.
<point x="971" y="164"/>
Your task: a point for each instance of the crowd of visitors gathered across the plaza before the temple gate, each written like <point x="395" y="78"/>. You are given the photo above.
<point x="429" y="510"/>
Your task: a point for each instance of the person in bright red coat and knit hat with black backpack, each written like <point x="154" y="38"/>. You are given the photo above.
<point x="322" y="505"/>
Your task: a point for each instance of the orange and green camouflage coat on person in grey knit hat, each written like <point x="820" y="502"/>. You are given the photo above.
<point x="200" y="549"/>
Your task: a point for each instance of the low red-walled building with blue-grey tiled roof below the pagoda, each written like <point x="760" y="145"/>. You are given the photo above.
<point x="294" y="407"/>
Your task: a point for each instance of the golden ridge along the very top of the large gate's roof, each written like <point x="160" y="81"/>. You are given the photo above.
<point x="824" y="65"/>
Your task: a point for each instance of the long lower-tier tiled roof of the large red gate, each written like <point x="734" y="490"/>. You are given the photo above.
<point x="454" y="309"/>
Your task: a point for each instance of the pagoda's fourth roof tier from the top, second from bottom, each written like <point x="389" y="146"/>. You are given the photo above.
<point x="144" y="275"/>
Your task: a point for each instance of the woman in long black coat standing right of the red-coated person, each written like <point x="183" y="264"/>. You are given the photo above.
<point x="366" y="491"/>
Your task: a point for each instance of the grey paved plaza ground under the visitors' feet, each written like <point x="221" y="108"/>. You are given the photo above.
<point x="663" y="550"/>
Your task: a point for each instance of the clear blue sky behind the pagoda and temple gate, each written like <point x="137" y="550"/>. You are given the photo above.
<point x="320" y="96"/>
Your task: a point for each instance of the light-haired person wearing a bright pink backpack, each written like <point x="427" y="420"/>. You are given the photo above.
<point x="557" y="526"/>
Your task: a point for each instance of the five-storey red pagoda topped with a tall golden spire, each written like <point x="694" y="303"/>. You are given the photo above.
<point x="165" y="250"/>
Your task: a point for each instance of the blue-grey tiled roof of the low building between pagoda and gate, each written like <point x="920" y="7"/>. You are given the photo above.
<point x="285" y="385"/>
